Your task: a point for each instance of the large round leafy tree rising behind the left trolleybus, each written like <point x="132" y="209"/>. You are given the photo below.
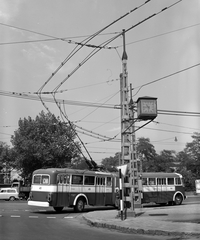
<point x="43" y="142"/>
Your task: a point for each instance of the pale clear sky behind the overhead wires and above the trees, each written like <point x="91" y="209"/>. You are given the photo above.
<point x="38" y="38"/>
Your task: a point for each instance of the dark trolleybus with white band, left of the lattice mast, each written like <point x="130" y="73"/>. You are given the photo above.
<point x="63" y="187"/>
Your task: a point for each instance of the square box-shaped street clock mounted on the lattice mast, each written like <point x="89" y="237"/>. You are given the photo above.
<point x="147" y="108"/>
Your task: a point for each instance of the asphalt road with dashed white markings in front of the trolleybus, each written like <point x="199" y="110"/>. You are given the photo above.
<point x="21" y="222"/>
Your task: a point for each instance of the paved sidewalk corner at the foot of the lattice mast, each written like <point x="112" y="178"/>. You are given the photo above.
<point x="180" y="220"/>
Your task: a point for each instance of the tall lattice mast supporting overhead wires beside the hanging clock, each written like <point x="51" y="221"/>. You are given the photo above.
<point x="128" y="142"/>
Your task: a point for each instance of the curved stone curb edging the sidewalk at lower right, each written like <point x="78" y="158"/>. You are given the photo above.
<point x="137" y="231"/>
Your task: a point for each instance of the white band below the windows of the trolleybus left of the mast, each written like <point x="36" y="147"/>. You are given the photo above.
<point x="66" y="188"/>
